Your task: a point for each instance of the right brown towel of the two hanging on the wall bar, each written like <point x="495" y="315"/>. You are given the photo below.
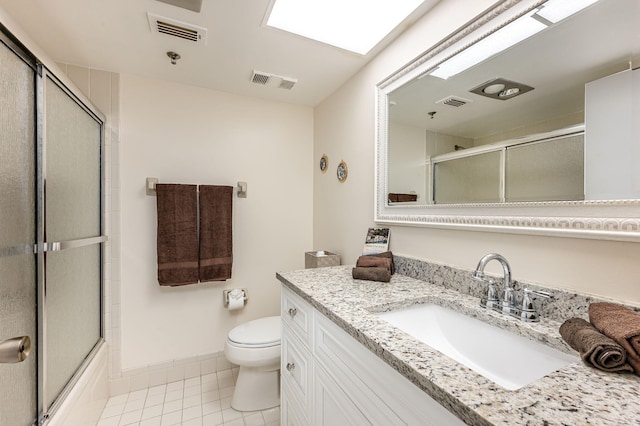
<point x="216" y="242"/>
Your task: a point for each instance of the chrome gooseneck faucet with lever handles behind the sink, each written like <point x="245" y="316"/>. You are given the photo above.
<point x="507" y="305"/>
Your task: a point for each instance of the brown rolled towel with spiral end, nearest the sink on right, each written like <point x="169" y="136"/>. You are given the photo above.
<point x="596" y="349"/>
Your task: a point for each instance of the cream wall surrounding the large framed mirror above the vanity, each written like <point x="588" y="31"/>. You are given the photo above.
<point x="345" y="129"/>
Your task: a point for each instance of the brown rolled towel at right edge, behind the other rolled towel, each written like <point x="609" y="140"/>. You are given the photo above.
<point x="622" y="325"/>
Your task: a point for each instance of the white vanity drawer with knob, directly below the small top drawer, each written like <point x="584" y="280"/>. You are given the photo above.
<point x="296" y="369"/>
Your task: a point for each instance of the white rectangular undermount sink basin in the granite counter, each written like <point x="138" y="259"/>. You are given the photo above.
<point x="509" y="360"/>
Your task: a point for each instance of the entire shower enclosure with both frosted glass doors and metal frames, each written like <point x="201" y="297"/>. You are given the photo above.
<point x="51" y="236"/>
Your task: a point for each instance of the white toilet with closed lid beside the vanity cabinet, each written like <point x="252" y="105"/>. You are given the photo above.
<point x="255" y="347"/>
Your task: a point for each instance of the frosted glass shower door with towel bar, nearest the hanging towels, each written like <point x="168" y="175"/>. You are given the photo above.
<point x="73" y="238"/>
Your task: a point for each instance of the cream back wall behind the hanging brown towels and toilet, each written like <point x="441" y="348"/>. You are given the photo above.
<point x="183" y="134"/>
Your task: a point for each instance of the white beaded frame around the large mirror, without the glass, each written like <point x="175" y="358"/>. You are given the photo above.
<point x="608" y="220"/>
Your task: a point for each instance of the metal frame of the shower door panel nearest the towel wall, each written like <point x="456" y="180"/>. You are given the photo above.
<point x="46" y="406"/>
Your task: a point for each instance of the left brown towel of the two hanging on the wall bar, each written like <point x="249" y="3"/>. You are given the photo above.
<point x="177" y="207"/>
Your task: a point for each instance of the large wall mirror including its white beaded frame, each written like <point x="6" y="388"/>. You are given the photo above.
<point x="524" y="121"/>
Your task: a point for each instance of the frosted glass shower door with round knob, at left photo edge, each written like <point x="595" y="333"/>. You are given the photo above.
<point x="17" y="239"/>
